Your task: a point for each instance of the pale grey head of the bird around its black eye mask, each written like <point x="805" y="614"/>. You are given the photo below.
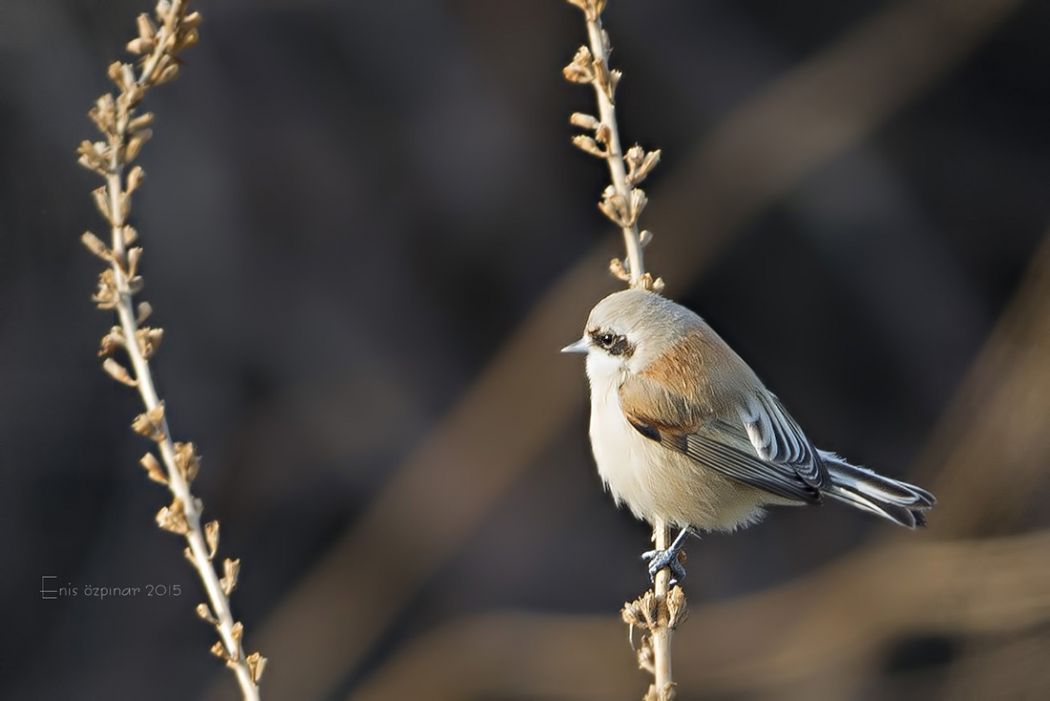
<point x="648" y="324"/>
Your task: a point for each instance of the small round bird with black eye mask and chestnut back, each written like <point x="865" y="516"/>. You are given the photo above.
<point x="684" y="431"/>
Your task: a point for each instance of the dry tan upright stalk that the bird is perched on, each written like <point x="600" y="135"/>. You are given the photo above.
<point x="658" y="612"/>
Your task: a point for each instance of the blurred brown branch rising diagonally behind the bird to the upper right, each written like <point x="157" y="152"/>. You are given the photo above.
<point x="813" y="114"/>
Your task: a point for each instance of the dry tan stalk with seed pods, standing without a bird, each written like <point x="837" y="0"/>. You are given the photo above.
<point x="125" y="132"/>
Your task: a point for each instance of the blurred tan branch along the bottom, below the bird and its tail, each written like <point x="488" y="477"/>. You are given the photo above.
<point x="839" y="617"/>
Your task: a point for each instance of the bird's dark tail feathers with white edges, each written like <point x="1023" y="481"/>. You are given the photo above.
<point x="899" y="502"/>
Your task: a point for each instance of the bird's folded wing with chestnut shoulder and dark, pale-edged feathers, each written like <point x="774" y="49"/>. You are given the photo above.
<point x="758" y="444"/>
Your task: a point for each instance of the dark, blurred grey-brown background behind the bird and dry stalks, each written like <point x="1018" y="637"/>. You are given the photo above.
<point x="367" y="236"/>
